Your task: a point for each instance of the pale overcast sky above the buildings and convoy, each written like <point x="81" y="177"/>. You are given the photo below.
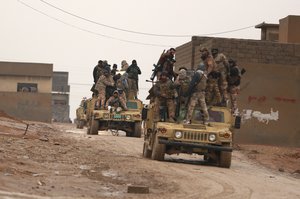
<point x="74" y="34"/>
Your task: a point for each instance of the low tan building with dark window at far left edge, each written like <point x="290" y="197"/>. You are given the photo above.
<point x="25" y="90"/>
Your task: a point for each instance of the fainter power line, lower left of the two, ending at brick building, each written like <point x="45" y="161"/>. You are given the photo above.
<point x="95" y="33"/>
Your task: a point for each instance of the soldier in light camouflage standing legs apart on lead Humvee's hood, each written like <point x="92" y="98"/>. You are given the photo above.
<point x="197" y="94"/>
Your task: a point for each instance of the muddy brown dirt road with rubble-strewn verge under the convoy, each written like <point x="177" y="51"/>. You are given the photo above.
<point x="60" y="161"/>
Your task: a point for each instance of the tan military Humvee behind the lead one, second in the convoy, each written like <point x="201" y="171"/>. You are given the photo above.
<point x="129" y="121"/>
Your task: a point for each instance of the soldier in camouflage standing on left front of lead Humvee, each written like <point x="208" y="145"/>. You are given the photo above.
<point x="164" y="92"/>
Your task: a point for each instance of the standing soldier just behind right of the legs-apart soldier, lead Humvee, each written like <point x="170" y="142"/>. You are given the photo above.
<point x="213" y="94"/>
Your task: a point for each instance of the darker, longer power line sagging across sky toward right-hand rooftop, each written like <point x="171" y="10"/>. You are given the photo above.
<point x="136" y="32"/>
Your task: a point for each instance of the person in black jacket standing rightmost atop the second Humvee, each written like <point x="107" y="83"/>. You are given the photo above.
<point x="133" y="72"/>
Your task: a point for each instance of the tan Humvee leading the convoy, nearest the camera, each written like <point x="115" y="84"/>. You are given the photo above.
<point x="213" y="141"/>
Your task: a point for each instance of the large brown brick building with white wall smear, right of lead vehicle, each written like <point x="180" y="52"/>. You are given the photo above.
<point x="270" y="93"/>
